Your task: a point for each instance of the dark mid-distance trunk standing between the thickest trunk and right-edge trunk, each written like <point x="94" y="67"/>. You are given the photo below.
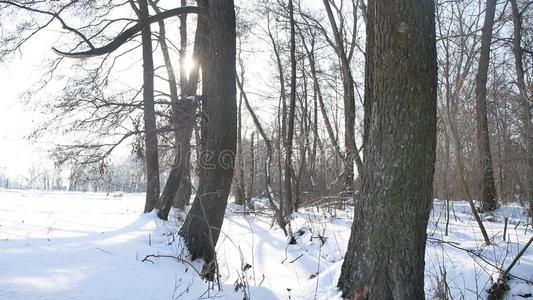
<point x="488" y="196"/>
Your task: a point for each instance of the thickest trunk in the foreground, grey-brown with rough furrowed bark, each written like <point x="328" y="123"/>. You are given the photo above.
<point x="385" y="257"/>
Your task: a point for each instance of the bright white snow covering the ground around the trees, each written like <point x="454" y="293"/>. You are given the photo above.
<point x="66" y="245"/>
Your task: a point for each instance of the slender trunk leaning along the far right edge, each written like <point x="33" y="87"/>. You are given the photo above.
<point x="524" y="100"/>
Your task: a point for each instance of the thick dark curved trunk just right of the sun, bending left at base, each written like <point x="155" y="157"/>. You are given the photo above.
<point x="202" y="225"/>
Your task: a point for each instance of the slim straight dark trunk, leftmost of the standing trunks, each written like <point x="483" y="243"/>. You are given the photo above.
<point x="152" y="156"/>
